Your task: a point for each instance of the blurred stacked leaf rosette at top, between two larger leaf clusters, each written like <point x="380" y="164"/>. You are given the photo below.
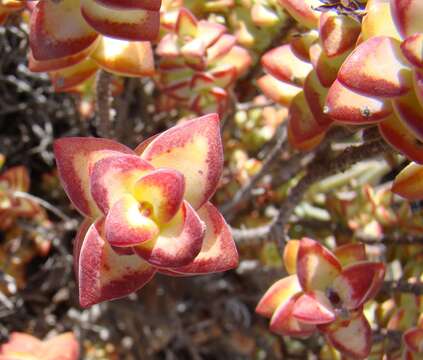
<point x="199" y="63"/>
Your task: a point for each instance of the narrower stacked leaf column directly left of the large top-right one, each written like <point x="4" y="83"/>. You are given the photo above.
<point x="300" y="72"/>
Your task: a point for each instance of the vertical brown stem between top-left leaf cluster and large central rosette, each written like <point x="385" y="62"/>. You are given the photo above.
<point x="103" y="98"/>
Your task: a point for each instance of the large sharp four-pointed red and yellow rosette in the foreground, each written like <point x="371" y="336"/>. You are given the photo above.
<point x="146" y="210"/>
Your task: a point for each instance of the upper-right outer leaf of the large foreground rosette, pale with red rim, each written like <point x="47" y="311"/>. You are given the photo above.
<point x="194" y="149"/>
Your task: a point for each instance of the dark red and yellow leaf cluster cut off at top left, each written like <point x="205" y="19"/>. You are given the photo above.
<point x="71" y="40"/>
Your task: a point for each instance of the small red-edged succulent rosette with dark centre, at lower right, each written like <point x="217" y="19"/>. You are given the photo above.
<point x="323" y="293"/>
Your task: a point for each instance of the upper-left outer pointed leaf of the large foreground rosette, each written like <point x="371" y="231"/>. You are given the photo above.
<point x="75" y="158"/>
